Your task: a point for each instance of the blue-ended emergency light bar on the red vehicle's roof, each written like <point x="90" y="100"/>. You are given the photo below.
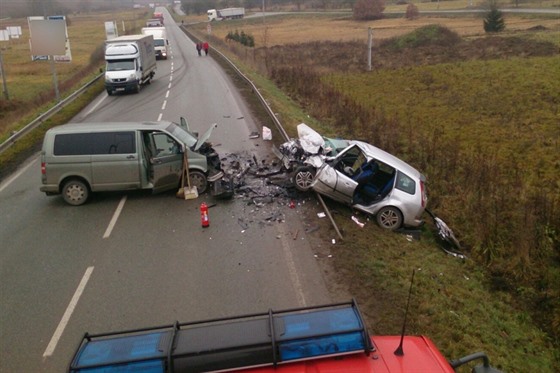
<point x="229" y="343"/>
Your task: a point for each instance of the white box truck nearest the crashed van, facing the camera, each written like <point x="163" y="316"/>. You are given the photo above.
<point x="131" y="63"/>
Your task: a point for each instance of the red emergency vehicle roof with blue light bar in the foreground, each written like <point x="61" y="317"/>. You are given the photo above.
<point x="331" y="338"/>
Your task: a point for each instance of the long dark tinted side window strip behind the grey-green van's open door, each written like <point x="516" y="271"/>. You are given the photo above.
<point x="95" y="143"/>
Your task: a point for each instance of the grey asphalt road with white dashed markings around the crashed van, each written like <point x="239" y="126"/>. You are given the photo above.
<point x="133" y="260"/>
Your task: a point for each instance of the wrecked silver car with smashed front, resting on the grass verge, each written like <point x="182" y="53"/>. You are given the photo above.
<point x="364" y="177"/>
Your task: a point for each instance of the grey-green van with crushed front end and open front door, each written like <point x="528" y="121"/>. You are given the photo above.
<point x="80" y="158"/>
